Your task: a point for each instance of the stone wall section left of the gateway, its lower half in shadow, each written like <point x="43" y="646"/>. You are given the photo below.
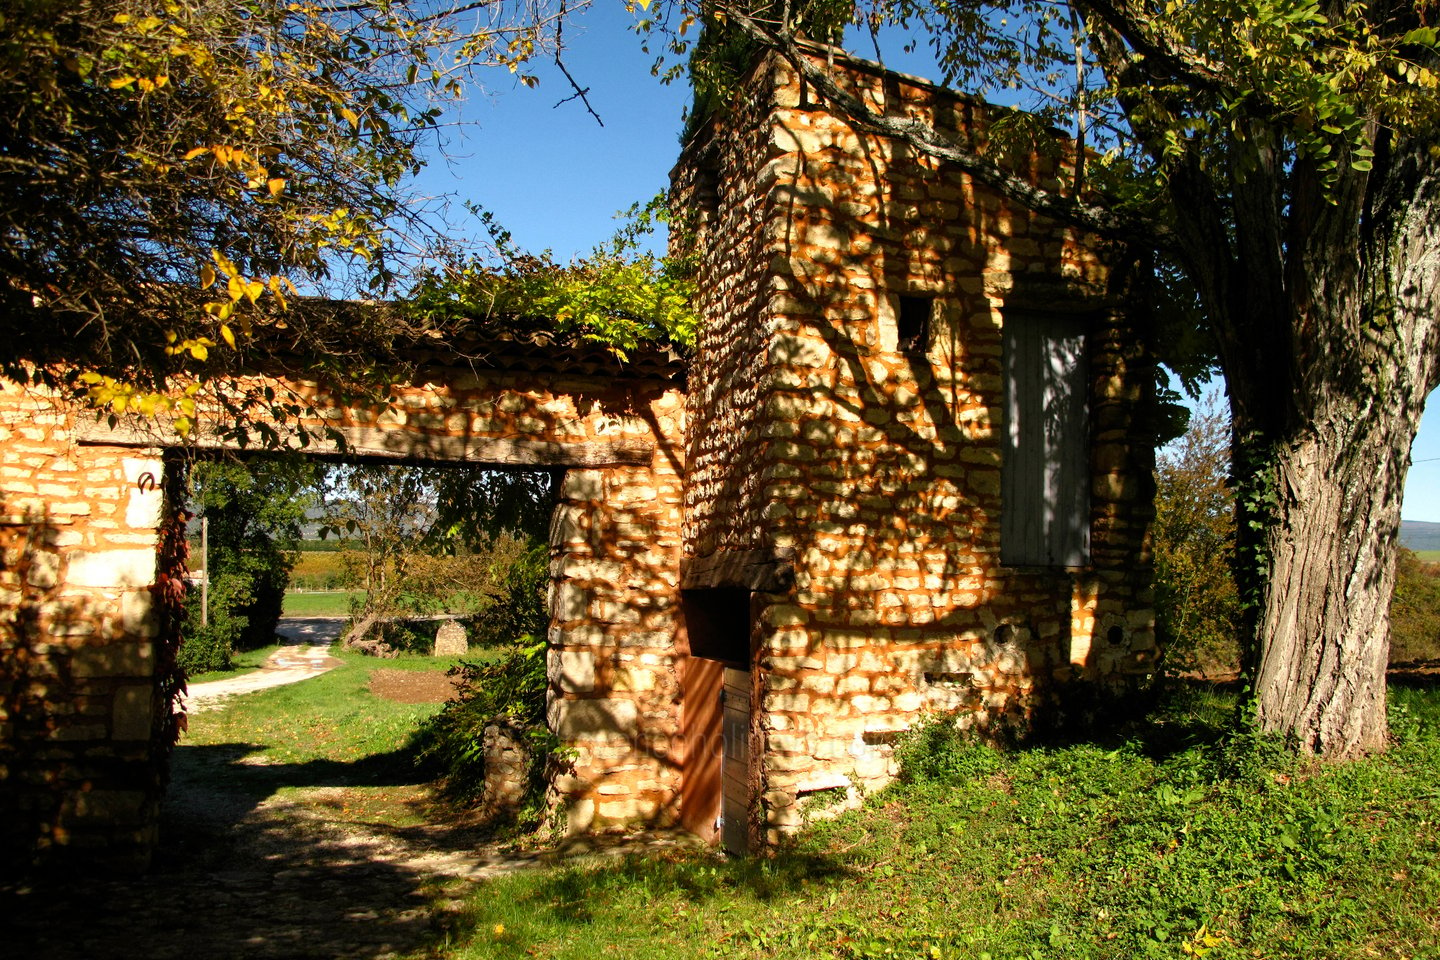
<point x="77" y="654"/>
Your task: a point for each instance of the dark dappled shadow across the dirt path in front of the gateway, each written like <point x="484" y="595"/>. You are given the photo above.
<point x="244" y="871"/>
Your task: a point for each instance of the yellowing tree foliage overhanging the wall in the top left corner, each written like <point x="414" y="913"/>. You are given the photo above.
<point x="175" y="169"/>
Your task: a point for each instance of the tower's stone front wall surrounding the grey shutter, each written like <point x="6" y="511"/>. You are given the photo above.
<point x="882" y="466"/>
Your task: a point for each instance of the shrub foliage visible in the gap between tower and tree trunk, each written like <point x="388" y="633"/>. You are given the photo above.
<point x="1197" y="605"/>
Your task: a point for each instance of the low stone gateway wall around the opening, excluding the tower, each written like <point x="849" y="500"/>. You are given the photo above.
<point x="80" y="715"/>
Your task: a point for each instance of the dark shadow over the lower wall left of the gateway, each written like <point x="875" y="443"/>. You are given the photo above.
<point x="74" y="712"/>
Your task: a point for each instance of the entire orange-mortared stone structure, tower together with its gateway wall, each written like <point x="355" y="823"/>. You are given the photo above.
<point x="905" y="474"/>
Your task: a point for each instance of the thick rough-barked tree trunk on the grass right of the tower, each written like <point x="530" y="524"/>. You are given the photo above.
<point x="1327" y="389"/>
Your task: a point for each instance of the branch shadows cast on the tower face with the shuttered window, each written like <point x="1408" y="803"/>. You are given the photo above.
<point x="906" y="444"/>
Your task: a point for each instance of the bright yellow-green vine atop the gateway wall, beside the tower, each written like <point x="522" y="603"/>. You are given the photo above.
<point x="618" y="296"/>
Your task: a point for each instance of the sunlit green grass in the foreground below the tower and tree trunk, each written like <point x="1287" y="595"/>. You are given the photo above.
<point x="1089" y="851"/>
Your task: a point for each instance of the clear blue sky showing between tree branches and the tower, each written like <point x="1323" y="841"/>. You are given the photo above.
<point x="557" y="179"/>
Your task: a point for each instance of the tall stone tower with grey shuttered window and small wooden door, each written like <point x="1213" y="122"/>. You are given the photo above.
<point x="917" y="480"/>
